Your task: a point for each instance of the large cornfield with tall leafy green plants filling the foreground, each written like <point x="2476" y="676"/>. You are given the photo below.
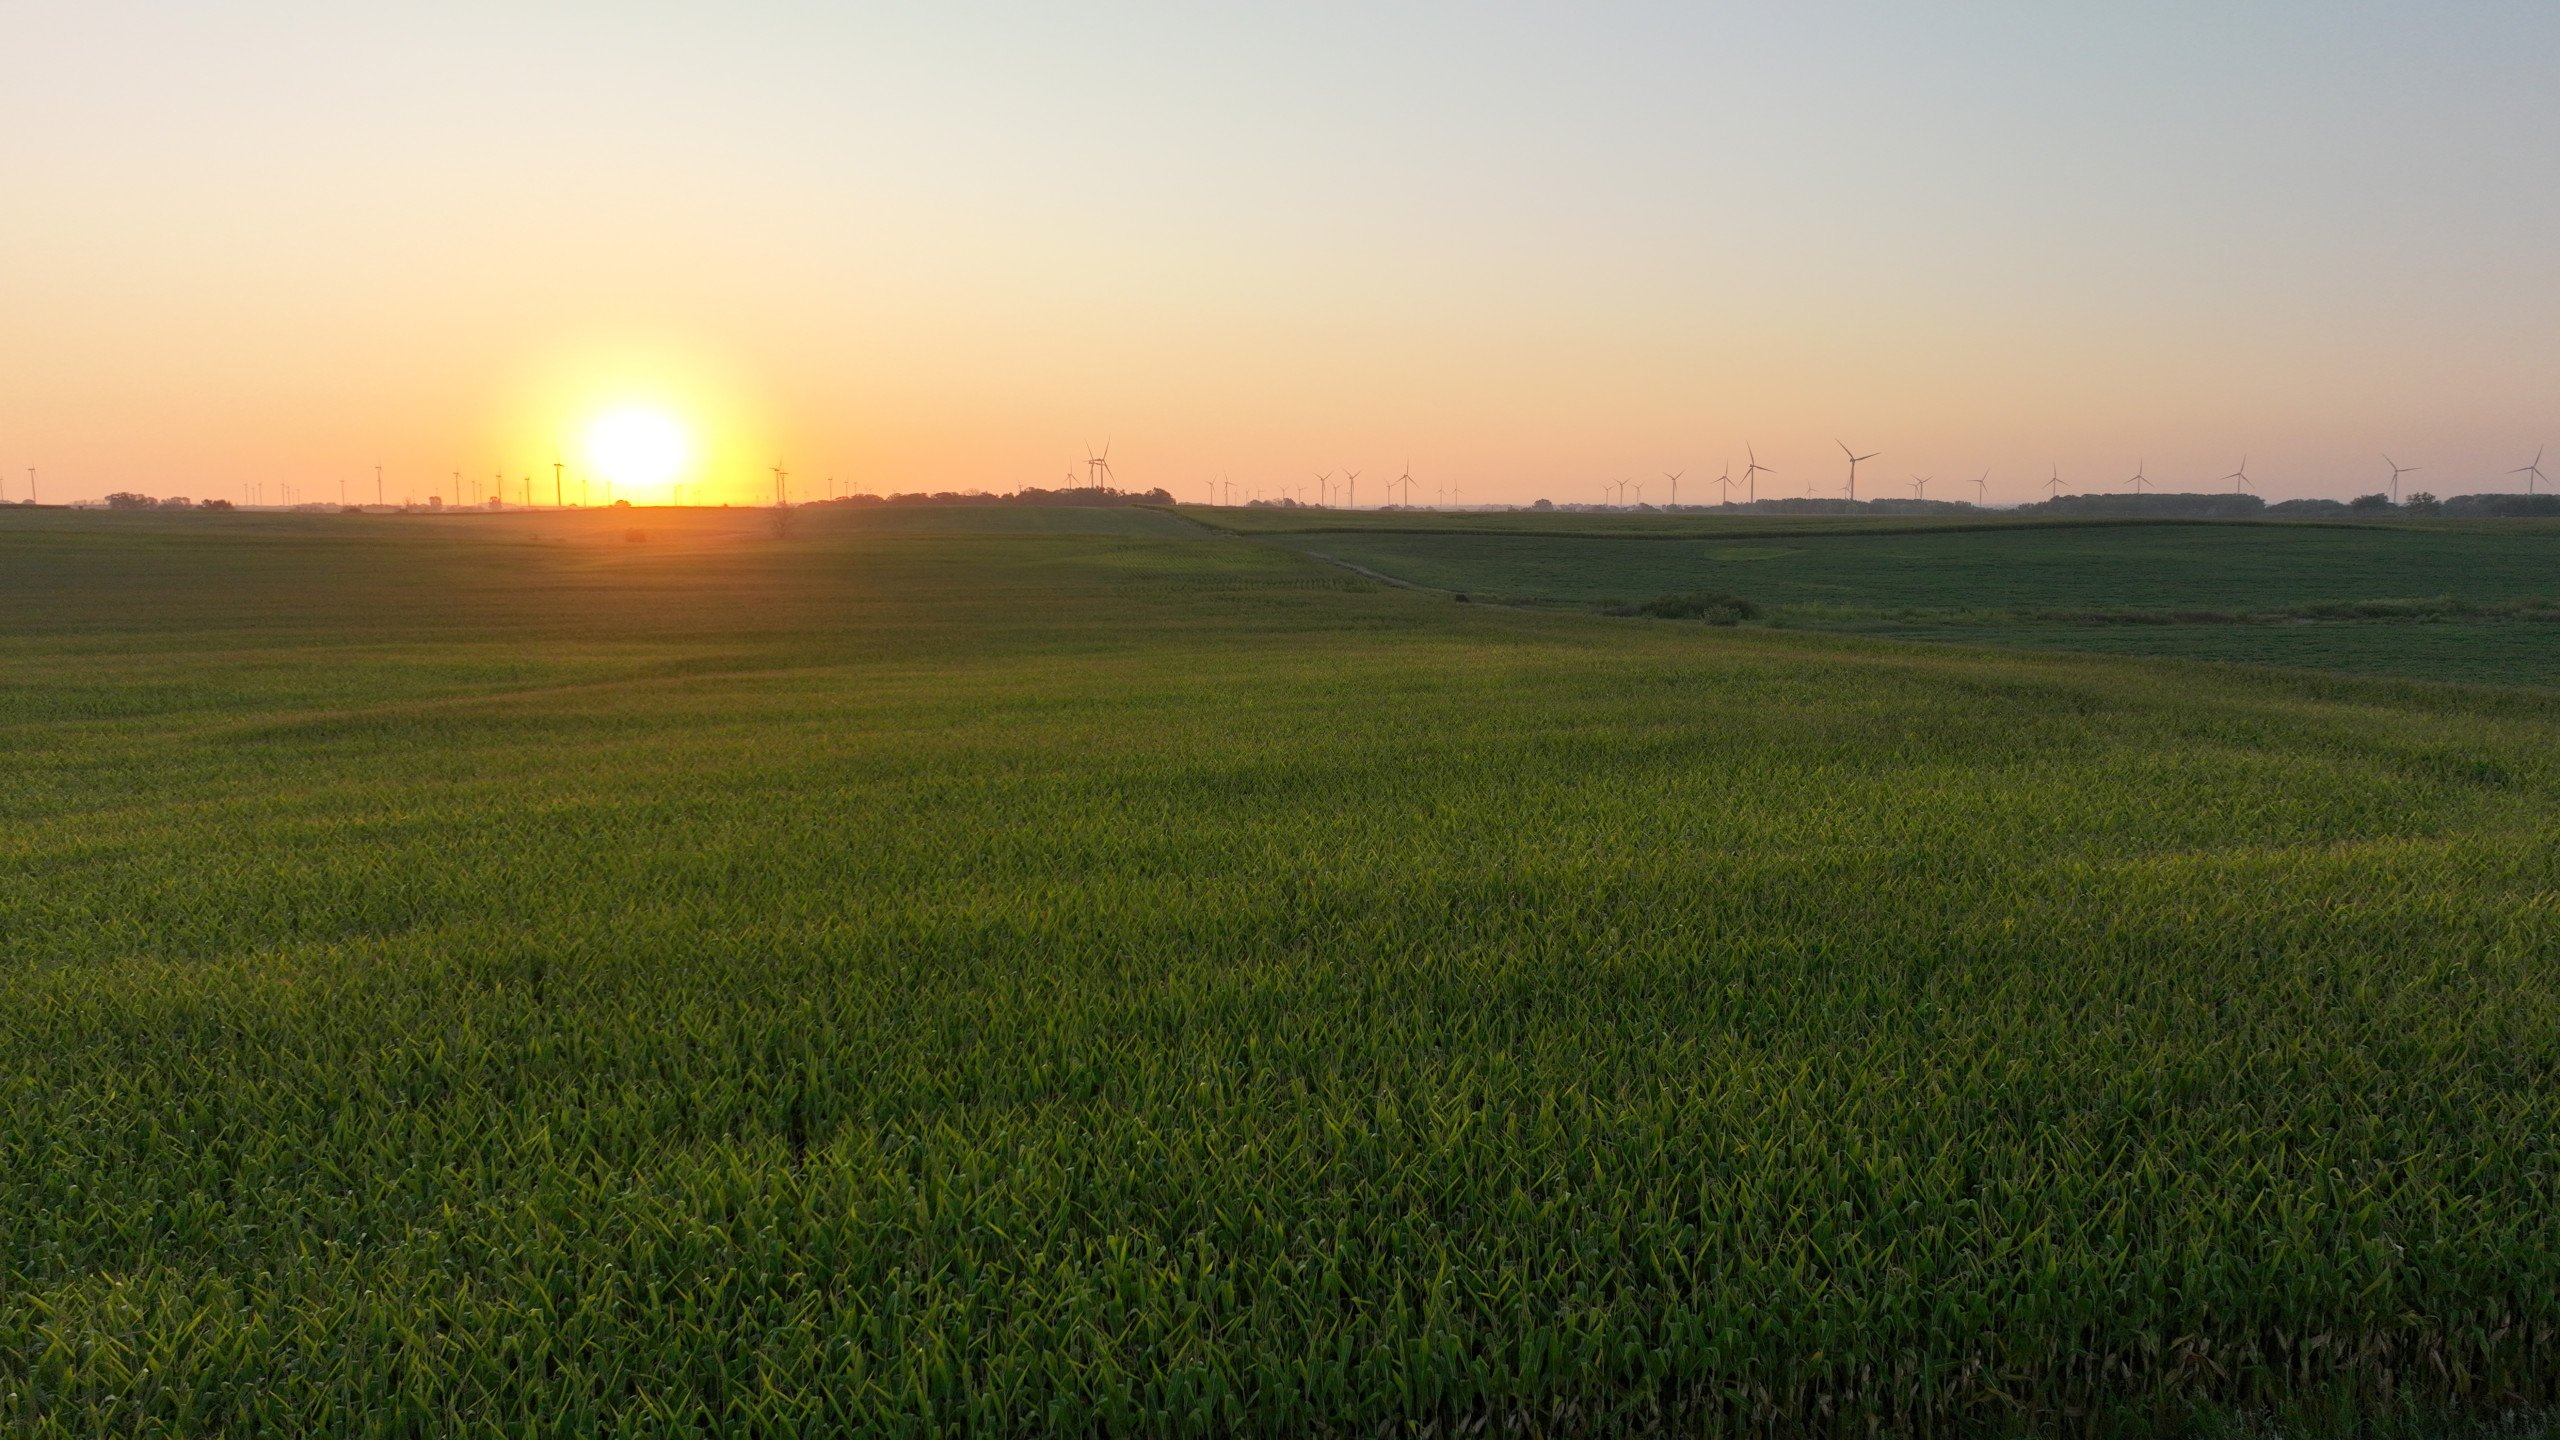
<point x="1025" y="975"/>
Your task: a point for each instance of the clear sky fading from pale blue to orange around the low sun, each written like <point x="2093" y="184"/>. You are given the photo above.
<point x="1517" y="250"/>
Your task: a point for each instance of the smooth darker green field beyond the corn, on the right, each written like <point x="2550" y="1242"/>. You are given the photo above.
<point x="2472" y="603"/>
